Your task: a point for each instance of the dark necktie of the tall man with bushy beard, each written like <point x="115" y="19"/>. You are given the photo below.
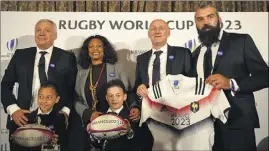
<point x="208" y="62"/>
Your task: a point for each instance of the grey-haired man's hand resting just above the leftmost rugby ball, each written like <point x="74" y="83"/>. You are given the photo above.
<point x="19" y="118"/>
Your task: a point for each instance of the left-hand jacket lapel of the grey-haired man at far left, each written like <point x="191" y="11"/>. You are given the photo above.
<point x="31" y="62"/>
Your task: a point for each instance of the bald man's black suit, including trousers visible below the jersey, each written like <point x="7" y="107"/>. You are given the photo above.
<point x="179" y="61"/>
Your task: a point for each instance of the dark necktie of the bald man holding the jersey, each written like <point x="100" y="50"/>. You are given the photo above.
<point x="156" y="68"/>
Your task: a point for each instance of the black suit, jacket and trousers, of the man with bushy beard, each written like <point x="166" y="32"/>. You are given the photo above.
<point x="239" y="58"/>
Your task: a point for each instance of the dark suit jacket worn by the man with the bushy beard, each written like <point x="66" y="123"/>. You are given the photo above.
<point x="240" y="58"/>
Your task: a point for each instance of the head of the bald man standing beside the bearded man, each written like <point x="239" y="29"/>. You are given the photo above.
<point x="158" y="33"/>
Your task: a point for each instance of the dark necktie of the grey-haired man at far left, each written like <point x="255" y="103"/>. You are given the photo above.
<point x="41" y="68"/>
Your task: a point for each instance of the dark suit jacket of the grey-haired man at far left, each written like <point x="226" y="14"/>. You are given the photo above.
<point x="62" y="71"/>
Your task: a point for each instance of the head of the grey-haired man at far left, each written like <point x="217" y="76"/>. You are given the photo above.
<point x="45" y="34"/>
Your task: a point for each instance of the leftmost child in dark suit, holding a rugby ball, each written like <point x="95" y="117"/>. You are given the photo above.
<point x="48" y="96"/>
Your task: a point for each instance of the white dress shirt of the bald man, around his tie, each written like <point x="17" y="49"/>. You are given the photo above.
<point x="163" y="61"/>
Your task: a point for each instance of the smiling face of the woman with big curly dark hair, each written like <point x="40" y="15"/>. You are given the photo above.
<point x="96" y="49"/>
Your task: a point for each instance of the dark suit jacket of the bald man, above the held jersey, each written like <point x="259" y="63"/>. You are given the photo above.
<point x="181" y="63"/>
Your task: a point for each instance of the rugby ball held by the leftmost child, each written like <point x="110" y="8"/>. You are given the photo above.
<point x="32" y="135"/>
